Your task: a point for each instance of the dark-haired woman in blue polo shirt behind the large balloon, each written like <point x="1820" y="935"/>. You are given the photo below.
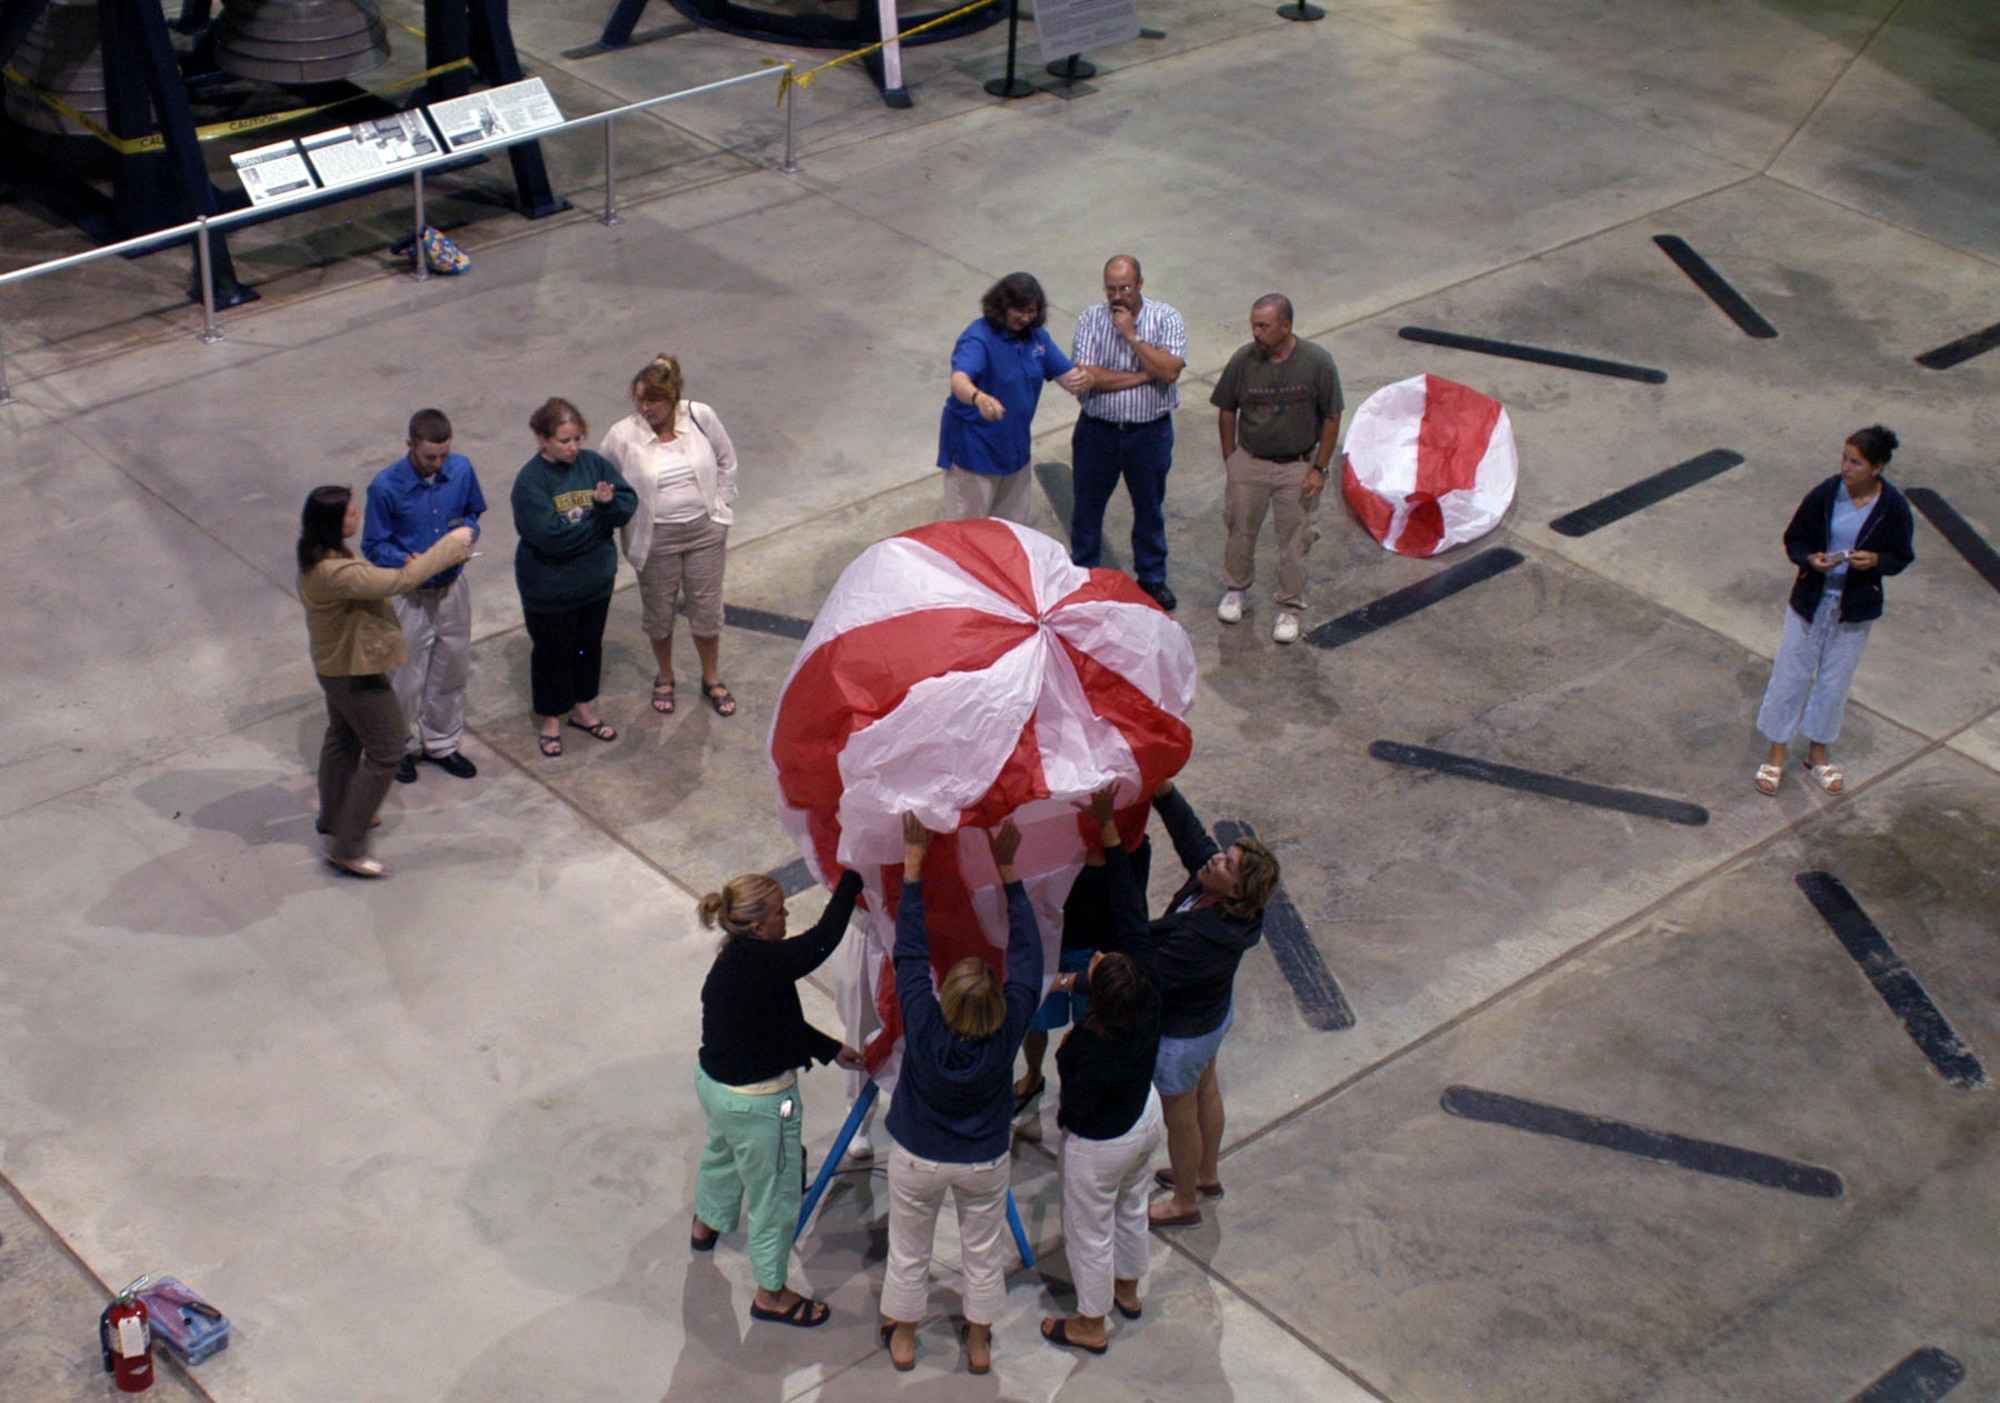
<point x="999" y="367"/>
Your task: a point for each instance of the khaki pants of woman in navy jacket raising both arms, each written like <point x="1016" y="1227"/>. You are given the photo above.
<point x="917" y="1192"/>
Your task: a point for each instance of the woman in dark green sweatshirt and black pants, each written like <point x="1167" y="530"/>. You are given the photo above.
<point x="569" y="507"/>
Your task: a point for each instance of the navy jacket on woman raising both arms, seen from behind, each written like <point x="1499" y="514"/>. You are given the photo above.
<point x="955" y="1100"/>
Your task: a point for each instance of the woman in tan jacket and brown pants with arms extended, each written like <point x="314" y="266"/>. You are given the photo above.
<point x="357" y="645"/>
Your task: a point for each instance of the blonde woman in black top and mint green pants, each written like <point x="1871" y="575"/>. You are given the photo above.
<point x="755" y="1038"/>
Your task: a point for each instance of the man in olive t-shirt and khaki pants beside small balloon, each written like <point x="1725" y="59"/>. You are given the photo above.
<point x="1279" y="419"/>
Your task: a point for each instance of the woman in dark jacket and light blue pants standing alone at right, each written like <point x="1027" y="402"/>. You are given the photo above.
<point x="1847" y="535"/>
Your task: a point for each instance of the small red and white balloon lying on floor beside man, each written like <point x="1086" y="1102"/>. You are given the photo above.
<point x="1429" y="465"/>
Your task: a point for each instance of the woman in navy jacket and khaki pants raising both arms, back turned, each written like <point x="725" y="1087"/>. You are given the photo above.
<point x="955" y="1104"/>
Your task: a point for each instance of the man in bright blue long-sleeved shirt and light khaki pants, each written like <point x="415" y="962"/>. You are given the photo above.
<point x="411" y="505"/>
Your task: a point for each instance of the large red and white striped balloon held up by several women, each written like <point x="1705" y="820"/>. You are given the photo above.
<point x="969" y="673"/>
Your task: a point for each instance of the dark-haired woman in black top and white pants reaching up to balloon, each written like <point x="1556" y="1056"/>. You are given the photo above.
<point x="1111" y="1112"/>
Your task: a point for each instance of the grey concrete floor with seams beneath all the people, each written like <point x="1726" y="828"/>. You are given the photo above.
<point x="433" y="1138"/>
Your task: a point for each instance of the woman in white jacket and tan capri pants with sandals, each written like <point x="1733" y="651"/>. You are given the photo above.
<point x="679" y="459"/>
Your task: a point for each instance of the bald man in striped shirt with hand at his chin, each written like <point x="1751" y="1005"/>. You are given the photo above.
<point x="1135" y="353"/>
